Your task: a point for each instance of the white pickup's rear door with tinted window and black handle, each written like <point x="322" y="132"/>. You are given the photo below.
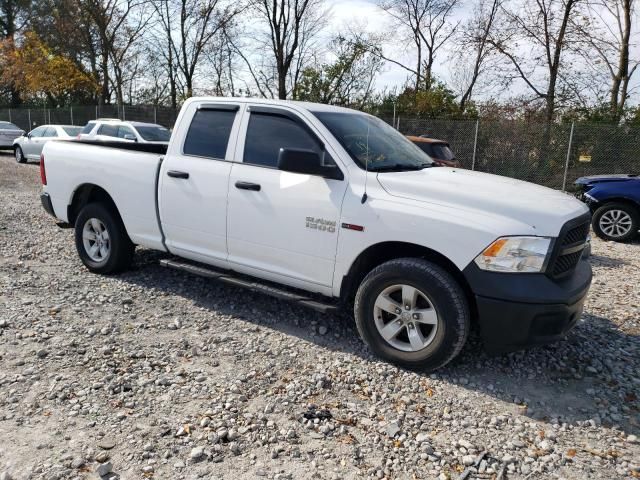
<point x="194" y="182"/>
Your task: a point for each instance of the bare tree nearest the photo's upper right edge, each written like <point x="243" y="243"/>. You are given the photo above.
<point x="608" y="35"/>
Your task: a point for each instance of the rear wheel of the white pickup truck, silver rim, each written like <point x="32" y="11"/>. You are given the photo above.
<point x="117" y="253"/>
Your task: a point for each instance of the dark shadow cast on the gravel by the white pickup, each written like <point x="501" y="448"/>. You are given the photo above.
<point x="591" y="376"/>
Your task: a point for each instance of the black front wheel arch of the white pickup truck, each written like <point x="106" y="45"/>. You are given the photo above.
<point x="382" y="252"/>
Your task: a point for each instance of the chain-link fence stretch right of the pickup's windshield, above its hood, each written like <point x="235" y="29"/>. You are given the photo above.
<point x="554" y="155"/>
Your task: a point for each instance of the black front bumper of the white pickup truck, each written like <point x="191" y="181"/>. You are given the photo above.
<point x="519" y="310"/>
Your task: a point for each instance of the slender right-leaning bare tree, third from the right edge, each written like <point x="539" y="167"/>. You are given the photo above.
<point x="474" y="45"/>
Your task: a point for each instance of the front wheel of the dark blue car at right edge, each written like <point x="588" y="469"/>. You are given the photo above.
<point x="615" y="221"/>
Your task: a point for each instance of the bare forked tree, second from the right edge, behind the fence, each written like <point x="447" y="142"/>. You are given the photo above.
<point x="533" y="37"/>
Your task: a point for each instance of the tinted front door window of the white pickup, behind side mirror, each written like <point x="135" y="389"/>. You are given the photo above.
<point x="268" y="133"/>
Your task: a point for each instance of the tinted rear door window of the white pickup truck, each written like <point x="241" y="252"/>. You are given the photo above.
<point x="208" y="133"/>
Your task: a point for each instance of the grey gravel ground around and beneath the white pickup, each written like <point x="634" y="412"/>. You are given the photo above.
<point x="155" y="373"/>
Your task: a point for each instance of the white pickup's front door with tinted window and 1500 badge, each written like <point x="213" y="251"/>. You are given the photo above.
<point x="282" y="225"/>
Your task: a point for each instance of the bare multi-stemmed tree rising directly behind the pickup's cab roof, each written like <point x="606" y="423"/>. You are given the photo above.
<point x="292" y="27"/>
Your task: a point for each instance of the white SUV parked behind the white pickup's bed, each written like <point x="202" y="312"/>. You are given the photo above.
<point x="110" y="129"/>
